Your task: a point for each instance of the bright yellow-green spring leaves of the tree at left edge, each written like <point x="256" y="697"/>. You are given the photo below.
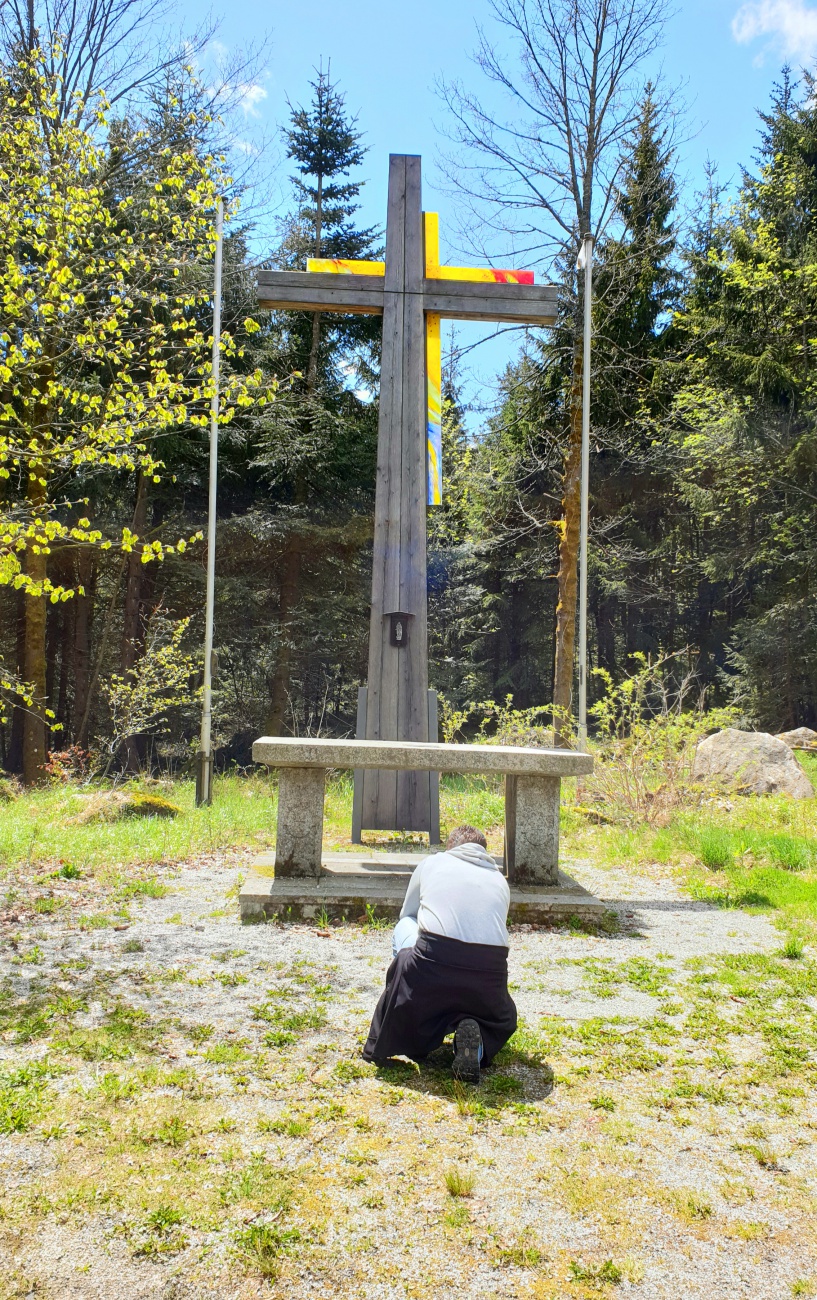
<point x="81" y="268"/>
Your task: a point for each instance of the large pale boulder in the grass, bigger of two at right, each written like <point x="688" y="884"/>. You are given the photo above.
<point x="751" y="762"/>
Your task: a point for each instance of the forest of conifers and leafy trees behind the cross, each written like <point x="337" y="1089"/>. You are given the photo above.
<point x="703" y="474"/>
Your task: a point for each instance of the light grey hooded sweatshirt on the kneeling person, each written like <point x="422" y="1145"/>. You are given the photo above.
<point x="462" y="895"/>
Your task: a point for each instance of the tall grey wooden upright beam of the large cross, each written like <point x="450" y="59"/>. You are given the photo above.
<point x="397" y="705"/>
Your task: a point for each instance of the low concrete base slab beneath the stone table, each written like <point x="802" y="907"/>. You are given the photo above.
<point x="351" y="883"/>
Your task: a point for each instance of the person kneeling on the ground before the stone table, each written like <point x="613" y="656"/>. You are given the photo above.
<point x="451" y="961"/>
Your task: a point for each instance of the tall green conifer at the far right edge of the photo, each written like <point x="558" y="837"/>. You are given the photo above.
<point x="745" y="422"/>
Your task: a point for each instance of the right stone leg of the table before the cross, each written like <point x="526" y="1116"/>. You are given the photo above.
<point x="533" y="830"/>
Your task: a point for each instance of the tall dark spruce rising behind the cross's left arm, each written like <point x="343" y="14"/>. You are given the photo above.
<point x="322" y="441"/>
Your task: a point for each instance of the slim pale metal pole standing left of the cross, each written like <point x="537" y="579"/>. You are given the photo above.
<point x="205" y="770"/>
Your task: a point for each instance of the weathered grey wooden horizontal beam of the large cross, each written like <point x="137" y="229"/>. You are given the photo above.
<point x="326" y="292"/>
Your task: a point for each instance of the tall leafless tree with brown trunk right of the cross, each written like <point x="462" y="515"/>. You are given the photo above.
<point x="546" y="175"/>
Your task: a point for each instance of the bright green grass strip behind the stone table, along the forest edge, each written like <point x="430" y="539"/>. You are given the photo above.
<point x="759" y="853"/>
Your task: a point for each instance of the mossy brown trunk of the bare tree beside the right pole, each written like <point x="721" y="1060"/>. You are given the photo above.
<point x="568" y="578"/>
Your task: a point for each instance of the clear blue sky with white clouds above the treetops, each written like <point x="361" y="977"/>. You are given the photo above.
<point x="387" y="55"/>
